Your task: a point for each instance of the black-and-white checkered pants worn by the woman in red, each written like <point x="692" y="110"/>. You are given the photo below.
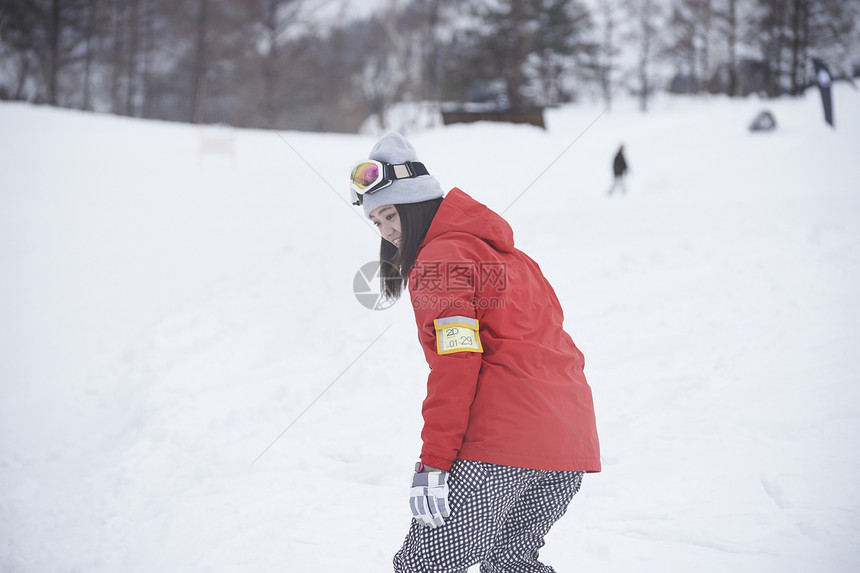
<point x="499" y="517"/>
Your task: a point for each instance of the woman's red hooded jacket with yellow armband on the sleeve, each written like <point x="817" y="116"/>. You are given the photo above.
<point x="506" y="384"/>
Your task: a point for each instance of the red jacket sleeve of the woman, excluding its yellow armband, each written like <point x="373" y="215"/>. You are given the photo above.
<point x="442" y="285"/>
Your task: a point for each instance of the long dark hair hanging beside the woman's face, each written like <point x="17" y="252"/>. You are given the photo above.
<point x="394" y="263"/>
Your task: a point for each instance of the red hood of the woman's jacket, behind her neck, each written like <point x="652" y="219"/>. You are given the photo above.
<point x="459" y="213"/>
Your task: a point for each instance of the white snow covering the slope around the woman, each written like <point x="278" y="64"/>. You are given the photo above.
<point x="188" y="383"/>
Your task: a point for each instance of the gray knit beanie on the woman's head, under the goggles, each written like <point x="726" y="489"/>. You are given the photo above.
<point x="394" y="149"/>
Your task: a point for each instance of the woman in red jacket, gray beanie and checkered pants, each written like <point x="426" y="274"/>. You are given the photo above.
<point x="509" y="425"/>
